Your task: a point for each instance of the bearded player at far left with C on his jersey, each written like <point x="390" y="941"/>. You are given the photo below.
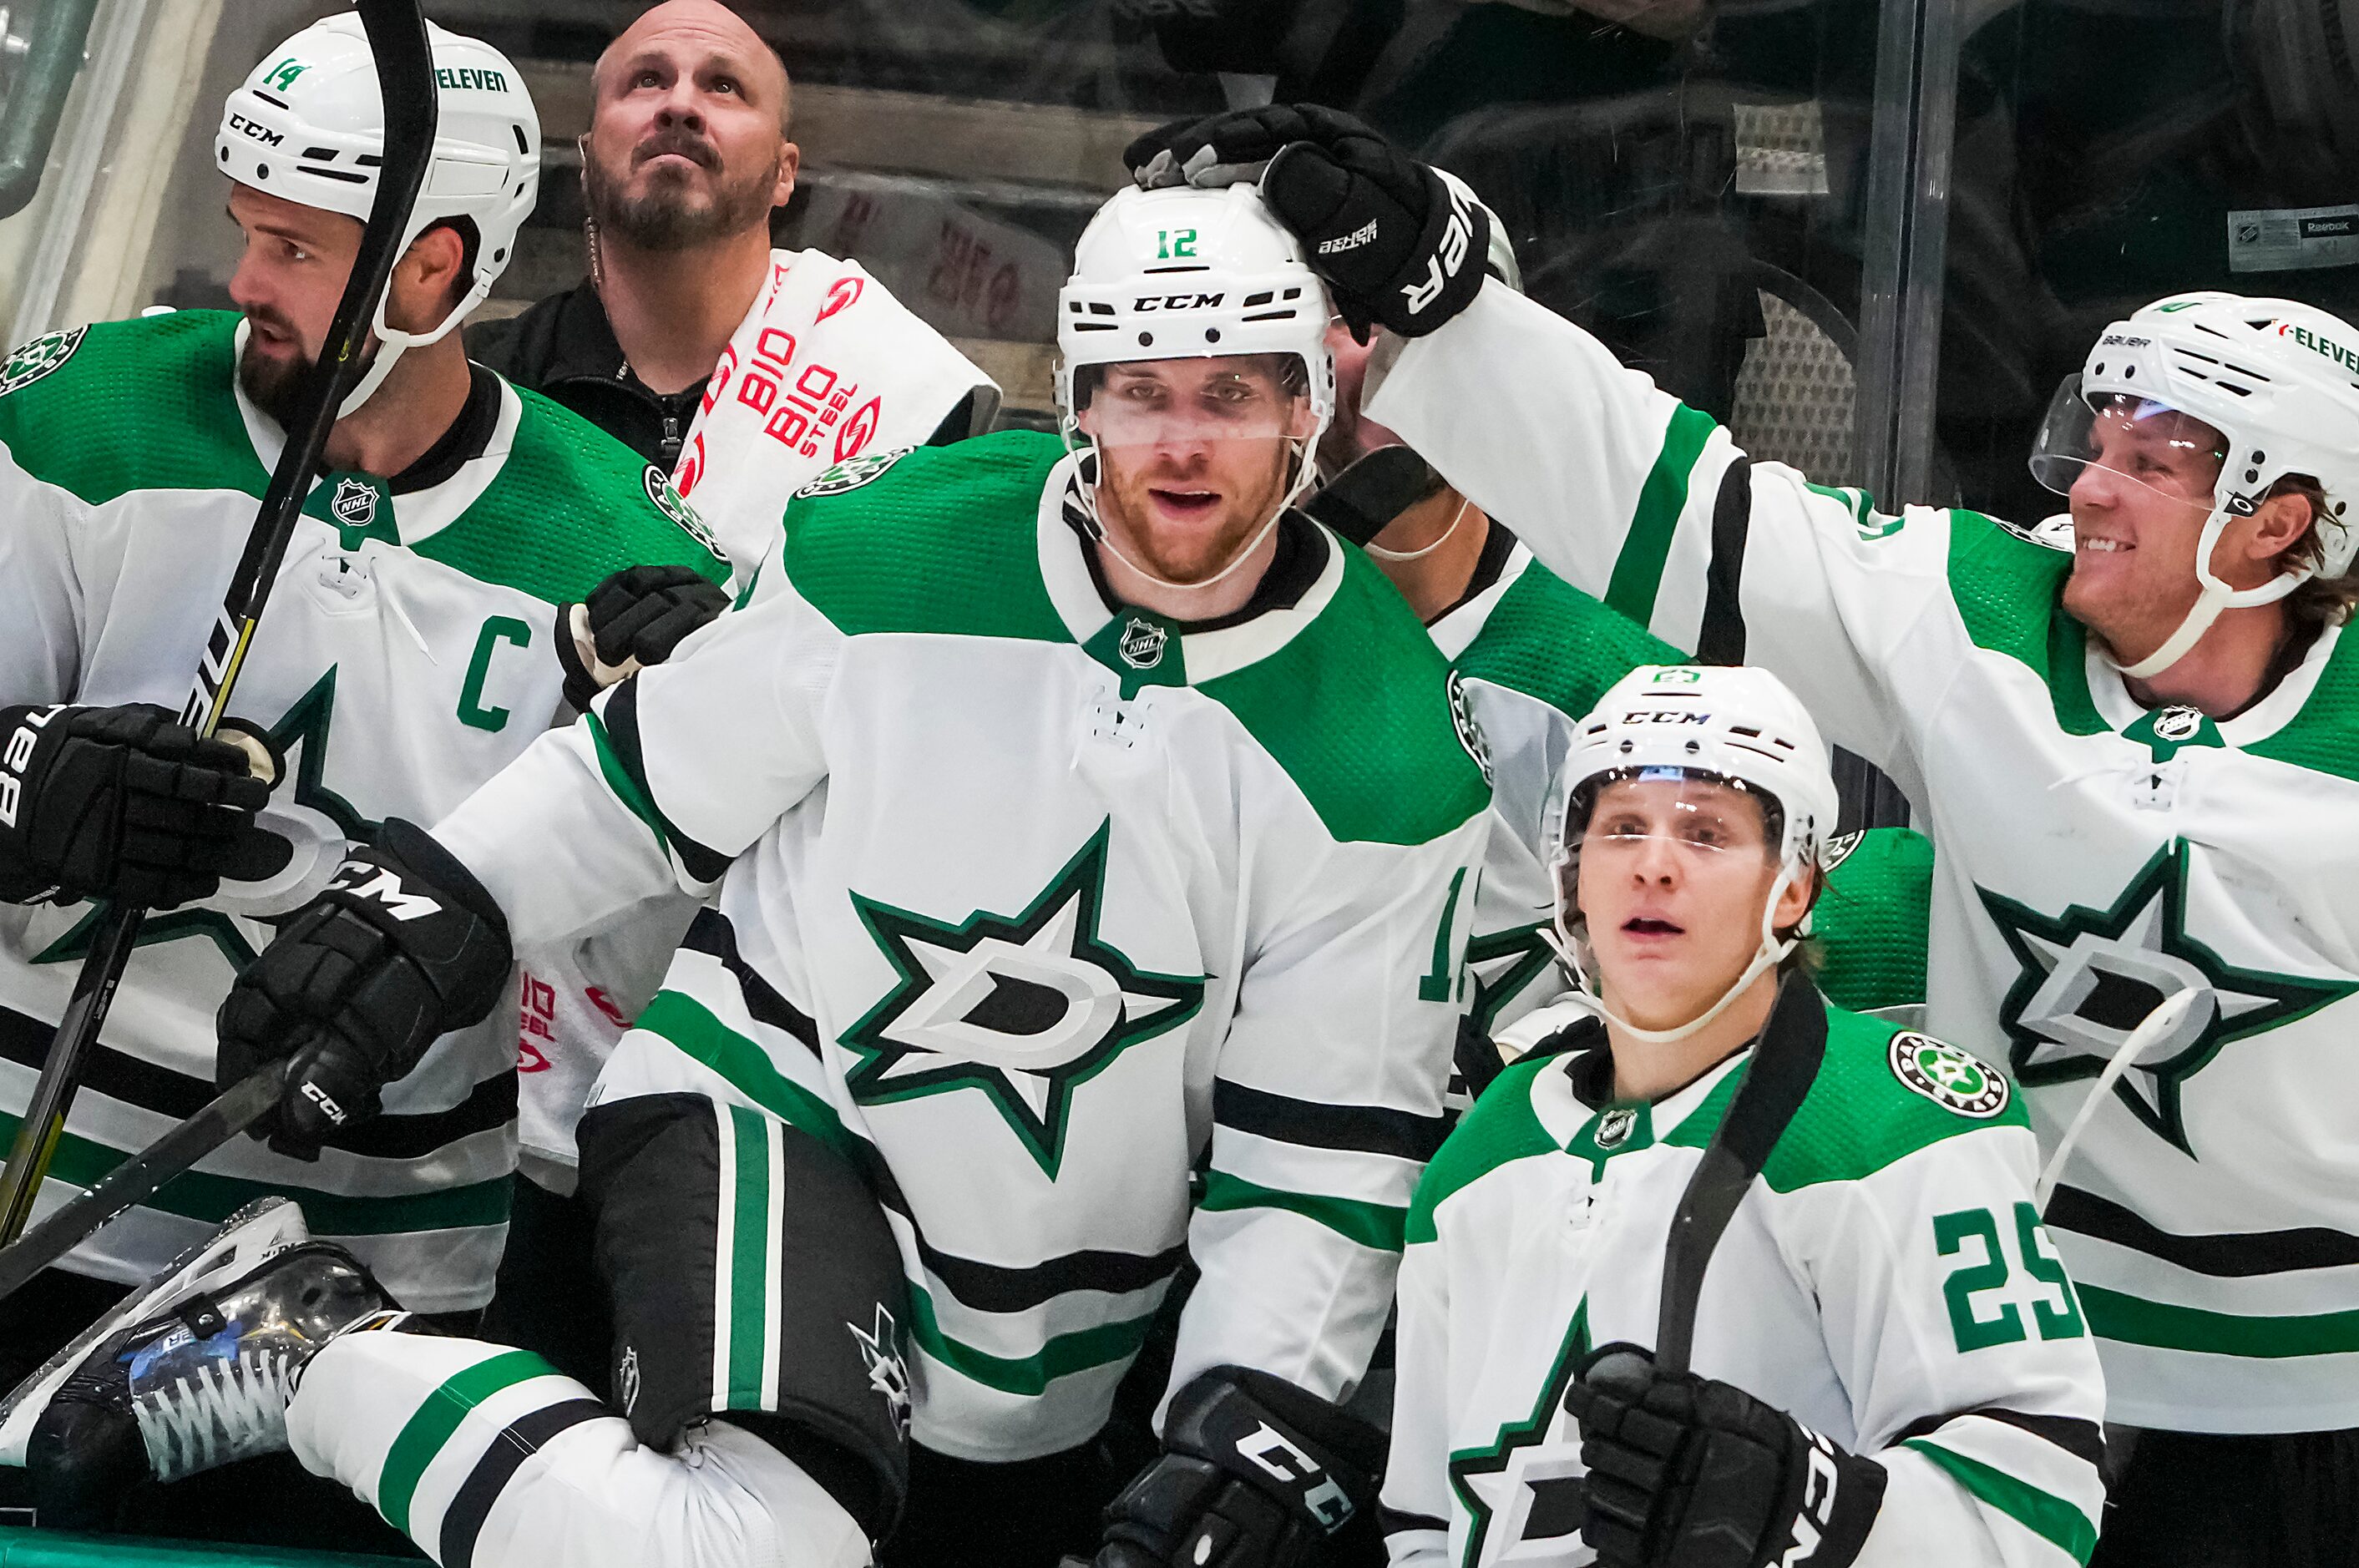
<point x="412" y="650"/>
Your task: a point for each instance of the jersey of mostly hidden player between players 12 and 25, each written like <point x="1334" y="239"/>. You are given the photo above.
<point x="1532" y="657"/>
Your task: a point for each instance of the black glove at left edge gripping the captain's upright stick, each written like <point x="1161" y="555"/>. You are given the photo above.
<point x="126" y="803"/>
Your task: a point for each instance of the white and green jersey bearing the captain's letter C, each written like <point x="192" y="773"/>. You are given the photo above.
<point x="407" y="657"/>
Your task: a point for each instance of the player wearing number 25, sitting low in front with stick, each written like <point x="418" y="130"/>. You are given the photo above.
<point x="1888" y="1362"/>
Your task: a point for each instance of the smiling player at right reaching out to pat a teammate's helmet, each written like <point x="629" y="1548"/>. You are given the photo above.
<point x="2136" y="760"/>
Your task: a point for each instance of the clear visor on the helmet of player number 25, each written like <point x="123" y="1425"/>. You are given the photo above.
<point x="1641" y="819"/>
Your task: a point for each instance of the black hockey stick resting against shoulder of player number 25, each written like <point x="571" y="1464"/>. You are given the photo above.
<point x="1778" y="1083"/>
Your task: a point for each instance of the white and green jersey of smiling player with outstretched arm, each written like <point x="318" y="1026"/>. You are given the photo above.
<point x="2094" y="857"/>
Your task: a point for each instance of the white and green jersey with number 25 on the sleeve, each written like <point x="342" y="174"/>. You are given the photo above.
<point x="1886" y="1282"/>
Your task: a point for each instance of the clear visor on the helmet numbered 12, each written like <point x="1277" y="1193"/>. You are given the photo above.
<point x="1192" y="404"/>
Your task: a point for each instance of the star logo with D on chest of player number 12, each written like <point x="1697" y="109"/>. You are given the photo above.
<point x="1020" y="1008"/>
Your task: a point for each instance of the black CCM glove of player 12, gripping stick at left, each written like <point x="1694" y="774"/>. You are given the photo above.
<point x="402" y="949"/>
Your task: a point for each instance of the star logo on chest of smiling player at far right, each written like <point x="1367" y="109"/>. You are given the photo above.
<point x="2091" y="977"/>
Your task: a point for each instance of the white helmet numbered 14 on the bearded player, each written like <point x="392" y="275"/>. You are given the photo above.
<point x="308" y="126"/>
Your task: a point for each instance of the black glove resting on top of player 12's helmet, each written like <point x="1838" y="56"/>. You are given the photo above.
<point x="1393" y="239"/>
